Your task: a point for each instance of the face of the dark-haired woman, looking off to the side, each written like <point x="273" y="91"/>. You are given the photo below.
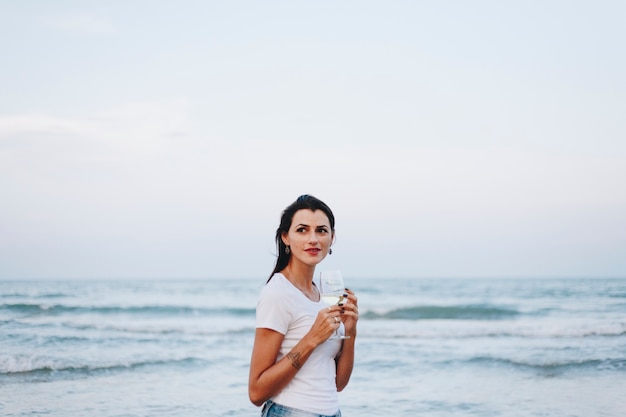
<point x="309" y="237"/>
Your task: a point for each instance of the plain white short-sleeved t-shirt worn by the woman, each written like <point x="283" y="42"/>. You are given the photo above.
<point x="285" y="309"/>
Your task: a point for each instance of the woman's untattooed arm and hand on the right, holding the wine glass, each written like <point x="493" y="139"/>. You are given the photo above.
<point x="345" y="360"/>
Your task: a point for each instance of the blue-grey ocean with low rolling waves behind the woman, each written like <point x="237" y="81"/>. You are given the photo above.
<point x="426" y="347"/>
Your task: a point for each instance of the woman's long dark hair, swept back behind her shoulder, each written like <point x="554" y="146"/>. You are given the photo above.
<point x="305" y="201"/>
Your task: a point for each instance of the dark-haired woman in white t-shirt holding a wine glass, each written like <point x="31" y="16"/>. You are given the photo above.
<point x="296" y="370"/>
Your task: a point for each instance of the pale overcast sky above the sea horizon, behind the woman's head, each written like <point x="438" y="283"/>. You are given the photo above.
<point x="160" y="139"/>
